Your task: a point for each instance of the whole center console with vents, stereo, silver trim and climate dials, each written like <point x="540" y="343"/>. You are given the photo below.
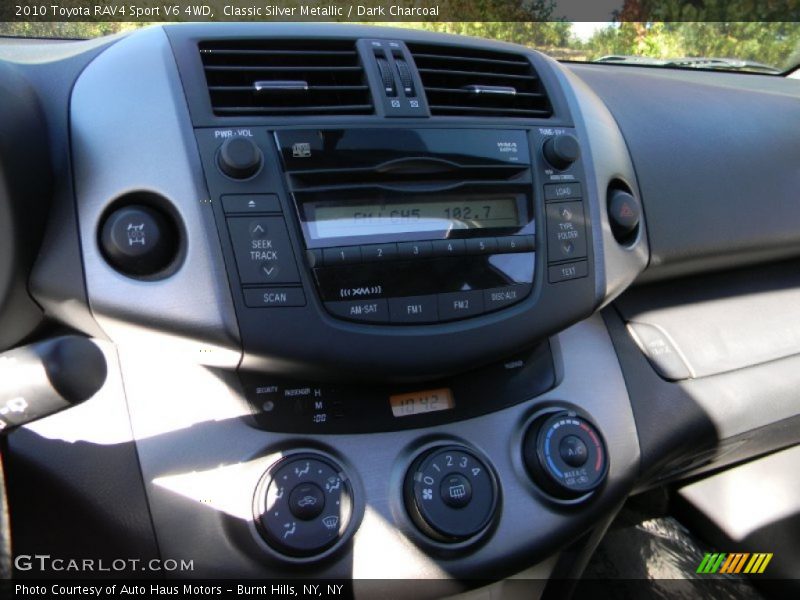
<point x="410" y="365"/>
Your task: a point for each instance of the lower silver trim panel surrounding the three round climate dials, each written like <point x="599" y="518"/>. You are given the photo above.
<point x="201" y="461"/>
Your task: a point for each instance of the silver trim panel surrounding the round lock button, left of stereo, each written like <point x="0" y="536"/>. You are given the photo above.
<point x="131" y="131"/>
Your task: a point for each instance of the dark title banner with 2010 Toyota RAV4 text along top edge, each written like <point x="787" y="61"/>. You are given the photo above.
<point x="398" y="10"/>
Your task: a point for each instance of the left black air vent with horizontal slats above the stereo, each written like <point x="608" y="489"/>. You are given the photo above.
<point x="285" y="78"/>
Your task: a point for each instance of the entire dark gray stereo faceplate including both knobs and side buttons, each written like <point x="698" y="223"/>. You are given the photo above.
<point x="398" y="250"/>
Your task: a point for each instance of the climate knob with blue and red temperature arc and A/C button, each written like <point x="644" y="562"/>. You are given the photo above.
<point x="565" y="455"/>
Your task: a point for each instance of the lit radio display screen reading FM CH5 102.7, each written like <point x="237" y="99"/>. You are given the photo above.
<point x="342" y="219"/>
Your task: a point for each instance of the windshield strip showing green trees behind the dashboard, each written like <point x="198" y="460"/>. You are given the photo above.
<point x="767" y="47"/>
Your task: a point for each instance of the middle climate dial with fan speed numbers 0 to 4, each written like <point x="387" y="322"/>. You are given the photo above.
<point x="450" y="494"/>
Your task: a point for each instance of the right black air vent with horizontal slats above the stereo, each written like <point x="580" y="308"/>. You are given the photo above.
<point x="466" y="82"/>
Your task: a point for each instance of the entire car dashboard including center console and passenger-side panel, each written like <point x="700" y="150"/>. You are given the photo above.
<point x="383" y="304"/>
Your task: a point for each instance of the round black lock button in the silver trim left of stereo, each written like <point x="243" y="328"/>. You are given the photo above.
<point x="139" y="240"/>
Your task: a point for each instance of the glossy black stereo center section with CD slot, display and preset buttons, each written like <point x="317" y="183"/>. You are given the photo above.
<point x="413" y="226"/>
